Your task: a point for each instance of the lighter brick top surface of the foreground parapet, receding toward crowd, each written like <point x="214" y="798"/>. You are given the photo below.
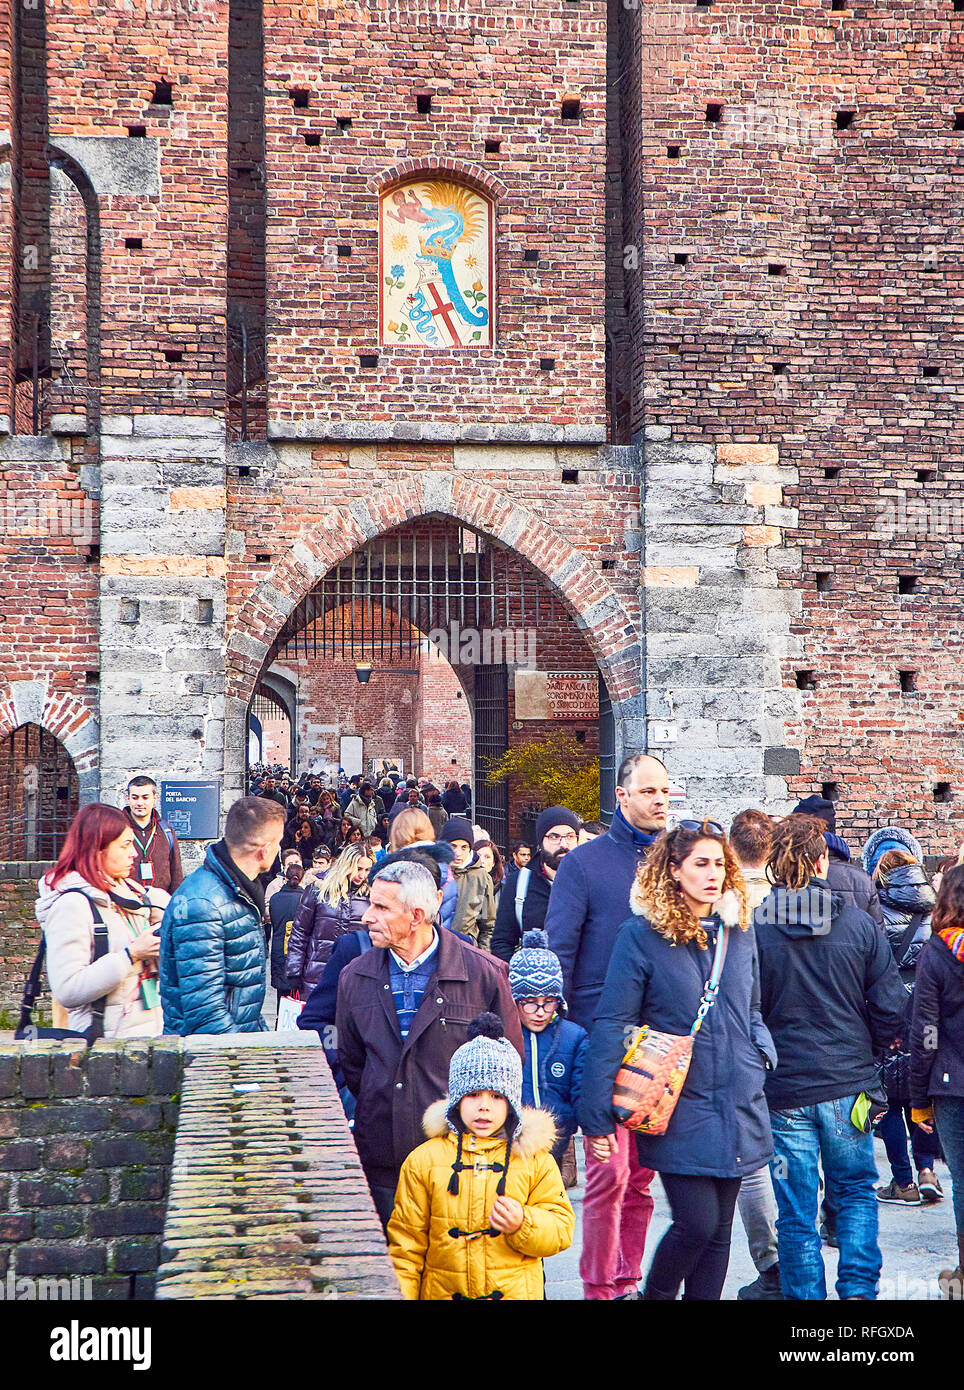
<point x="267" y="1193"/>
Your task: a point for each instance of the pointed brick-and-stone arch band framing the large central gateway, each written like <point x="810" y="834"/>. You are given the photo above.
<point x="592" y="603"/>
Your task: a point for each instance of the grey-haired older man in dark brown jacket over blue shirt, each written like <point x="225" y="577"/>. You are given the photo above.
<point x="404" y="1008"/>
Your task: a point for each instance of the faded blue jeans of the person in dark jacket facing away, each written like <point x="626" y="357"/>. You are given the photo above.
<point x="801" y="1139"/>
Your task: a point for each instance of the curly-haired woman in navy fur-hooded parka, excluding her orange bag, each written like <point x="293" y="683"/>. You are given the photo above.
<point x="688" y="892"/>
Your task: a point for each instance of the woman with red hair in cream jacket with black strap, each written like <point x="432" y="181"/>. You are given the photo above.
<point x="90" y="883"/>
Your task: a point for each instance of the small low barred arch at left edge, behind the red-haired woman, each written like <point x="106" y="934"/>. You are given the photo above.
<point x="40" y="794"/>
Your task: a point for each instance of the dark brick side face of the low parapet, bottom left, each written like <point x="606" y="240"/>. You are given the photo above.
<point x="85" y="1150"/>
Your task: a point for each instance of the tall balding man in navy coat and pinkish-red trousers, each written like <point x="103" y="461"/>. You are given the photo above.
<point x="588" y="903"/>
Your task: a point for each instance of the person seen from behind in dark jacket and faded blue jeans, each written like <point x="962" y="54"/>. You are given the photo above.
<point x="831" y="997"/>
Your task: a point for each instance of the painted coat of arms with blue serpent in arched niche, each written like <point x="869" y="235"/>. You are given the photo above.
<point x="435" y="266"/>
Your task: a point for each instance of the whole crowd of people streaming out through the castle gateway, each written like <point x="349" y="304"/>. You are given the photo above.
<point x="740" y="1010"/>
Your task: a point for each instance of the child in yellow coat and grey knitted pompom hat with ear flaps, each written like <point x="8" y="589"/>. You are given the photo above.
<point x="483" y="1203"/>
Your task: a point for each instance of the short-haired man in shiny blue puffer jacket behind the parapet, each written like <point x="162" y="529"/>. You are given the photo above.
<point x="213" y="954"/>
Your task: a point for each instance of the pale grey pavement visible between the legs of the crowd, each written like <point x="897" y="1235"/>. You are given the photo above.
<point x="916" y="1243"/>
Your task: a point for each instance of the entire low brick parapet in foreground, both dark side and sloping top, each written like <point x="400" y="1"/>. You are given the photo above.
<point x="224" y="1160"/>
